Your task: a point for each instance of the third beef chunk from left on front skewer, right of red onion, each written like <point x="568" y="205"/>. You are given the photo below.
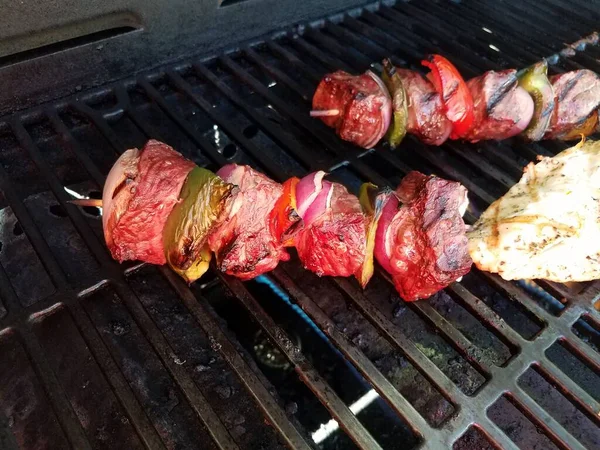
<point x="334" y="243"/>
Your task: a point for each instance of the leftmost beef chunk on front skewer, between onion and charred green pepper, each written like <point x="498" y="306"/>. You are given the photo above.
<point x="138" y="233"/>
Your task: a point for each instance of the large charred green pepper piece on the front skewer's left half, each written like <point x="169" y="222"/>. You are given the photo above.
<point x="202" y="199"/>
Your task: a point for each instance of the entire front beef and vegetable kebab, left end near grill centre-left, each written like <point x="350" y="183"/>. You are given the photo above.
<point x="160" y="208"/>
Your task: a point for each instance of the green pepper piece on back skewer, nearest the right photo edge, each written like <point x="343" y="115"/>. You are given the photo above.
<point x="534" y="80"/>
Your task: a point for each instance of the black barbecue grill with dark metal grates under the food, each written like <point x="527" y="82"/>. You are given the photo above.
<point x="94" y="354"/>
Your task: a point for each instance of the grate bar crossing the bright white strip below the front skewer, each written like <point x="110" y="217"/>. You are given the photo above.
<point x="347" y="420"/>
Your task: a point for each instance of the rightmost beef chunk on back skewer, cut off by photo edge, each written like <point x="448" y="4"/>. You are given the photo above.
<point x="577" y="96"/>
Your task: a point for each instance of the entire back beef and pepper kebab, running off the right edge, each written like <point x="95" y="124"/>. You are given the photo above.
<point x="496" y="105"/>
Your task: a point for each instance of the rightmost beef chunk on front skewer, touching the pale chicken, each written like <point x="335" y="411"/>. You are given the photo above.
<point x="426" y="238"/>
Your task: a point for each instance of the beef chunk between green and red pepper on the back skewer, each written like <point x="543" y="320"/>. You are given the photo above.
<point x="426" y="117"/>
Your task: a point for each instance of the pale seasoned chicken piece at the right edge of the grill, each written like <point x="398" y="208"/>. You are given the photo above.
<point x="548" y="225"/>
